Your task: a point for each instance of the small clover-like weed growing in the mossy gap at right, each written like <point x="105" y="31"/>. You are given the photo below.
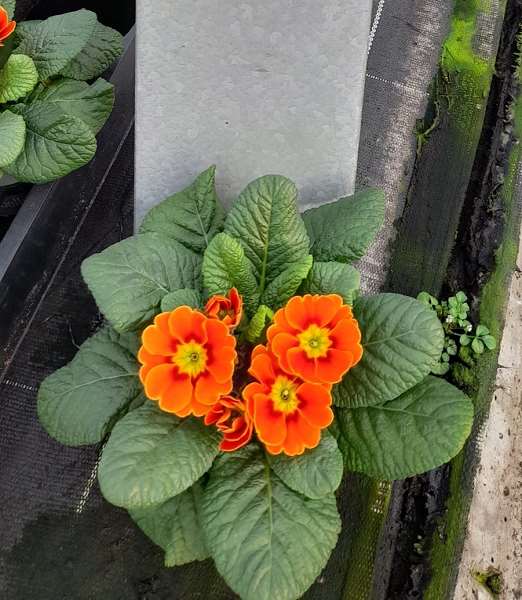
<point x="462" y="342"/>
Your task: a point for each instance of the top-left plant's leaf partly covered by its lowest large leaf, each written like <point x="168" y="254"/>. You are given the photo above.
<point x="90" y="103"/>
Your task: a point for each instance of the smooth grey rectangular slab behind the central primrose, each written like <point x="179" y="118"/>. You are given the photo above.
<point x="254" y="87"/>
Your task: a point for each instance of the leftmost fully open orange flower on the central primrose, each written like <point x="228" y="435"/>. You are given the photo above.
<point x="188" y="361"/>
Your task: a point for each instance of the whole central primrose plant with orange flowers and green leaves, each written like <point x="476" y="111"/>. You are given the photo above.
<point x="241" y="372"/>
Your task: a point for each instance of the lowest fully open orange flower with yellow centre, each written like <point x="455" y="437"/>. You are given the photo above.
<point x="288" y="412"/>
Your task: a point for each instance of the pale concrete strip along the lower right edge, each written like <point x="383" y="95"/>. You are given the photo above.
<point x="494" y="536"/>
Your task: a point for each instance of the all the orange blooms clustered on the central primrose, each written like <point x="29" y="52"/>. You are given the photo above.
<point x="188" y="360"/>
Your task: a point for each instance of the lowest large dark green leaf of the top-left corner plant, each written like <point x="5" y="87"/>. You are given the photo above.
<point x="55" y="144"/>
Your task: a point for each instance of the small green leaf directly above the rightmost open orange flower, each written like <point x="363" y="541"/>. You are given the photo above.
<point x="333" y="278"/>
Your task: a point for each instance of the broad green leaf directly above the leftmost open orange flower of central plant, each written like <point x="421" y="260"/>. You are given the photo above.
<point x="129" y="279"/>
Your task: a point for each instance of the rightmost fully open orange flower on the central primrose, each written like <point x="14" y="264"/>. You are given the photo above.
<point x="316" y="337"/>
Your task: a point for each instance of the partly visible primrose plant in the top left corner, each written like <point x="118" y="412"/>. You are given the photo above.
<point x="49" y="113"/>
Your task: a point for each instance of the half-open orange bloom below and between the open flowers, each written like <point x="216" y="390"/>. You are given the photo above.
<point x="230" y="416"/>
